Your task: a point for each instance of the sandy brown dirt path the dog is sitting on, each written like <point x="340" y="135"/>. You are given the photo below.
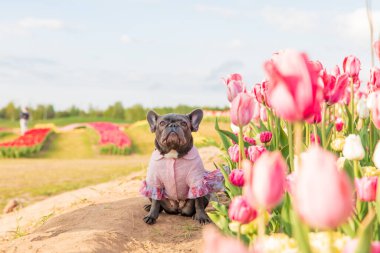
<point x="101" y="218"/>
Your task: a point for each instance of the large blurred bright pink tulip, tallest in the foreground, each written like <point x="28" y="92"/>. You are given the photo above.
<point x="294" y="92"/>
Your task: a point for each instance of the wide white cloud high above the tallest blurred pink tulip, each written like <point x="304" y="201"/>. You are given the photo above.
<point x="290" y="19"/>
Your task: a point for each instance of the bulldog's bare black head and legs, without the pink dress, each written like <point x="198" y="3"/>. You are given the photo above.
<point x="174" y="140"/>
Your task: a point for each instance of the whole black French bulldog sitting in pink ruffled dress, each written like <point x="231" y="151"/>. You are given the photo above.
<point x="177" y="182"/>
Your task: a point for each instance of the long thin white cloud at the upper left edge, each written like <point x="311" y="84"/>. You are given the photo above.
<point x="26" y="25"/>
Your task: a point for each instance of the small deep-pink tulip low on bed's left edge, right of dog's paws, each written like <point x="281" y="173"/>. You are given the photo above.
<point x="240" y="211"/>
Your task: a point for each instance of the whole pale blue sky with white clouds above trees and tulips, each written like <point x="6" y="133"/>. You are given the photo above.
<point x="163" y="53"/>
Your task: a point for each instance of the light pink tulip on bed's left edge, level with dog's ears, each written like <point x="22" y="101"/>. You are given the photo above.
<point x="242" y="109"/>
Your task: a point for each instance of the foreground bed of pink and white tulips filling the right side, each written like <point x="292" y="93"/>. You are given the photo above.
<point x="302" y="161"/>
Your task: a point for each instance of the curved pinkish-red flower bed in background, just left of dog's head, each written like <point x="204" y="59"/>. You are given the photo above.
<point x="112" y="139"/>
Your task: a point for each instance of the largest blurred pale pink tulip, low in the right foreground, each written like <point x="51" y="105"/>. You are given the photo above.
<point x="322" y="193"/>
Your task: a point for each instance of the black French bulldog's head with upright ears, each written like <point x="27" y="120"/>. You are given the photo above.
<point x="173" y="131"/>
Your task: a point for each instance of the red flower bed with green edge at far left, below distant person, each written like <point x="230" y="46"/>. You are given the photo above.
<point x="29" y="143"/>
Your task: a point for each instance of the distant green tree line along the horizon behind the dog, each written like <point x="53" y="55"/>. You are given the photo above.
<point x="115" y="111"/>
